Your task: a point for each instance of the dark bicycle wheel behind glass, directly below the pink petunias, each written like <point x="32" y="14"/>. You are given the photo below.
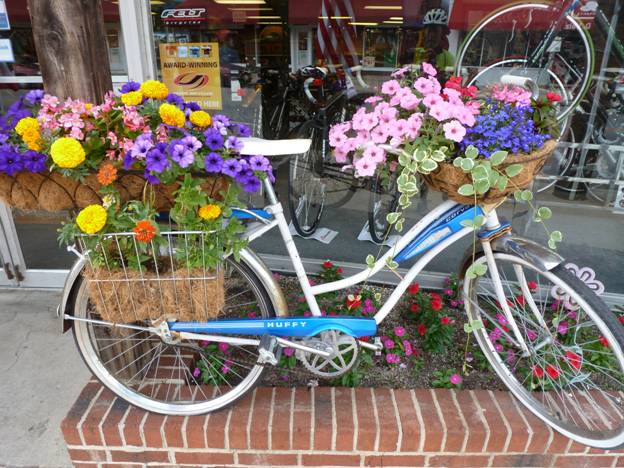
<point x="384" y="199"/>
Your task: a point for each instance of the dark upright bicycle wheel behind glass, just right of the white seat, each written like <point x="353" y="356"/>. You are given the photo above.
<point x="306" y="188"/>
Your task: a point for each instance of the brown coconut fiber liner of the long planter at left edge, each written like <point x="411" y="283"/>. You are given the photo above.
<point x="52" y="191"/>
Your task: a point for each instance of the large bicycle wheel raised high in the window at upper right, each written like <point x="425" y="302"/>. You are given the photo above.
<point x="503" y="41"/>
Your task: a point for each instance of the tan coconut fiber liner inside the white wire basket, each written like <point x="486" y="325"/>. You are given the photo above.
<point x="125" y="296"/>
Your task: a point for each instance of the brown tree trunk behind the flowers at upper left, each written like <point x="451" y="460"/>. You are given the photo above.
<point x="70" y="40"/>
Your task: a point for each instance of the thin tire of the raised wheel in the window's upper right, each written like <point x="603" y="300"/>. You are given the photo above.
<point x="576" y="25"/>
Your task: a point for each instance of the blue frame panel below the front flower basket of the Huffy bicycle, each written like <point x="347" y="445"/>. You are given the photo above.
<point x="446" y="225"/>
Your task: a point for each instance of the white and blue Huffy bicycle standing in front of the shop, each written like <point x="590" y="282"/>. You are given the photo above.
<point x="148" y="363"/>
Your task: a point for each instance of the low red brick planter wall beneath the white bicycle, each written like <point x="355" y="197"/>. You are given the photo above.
<point x="324" y="427"/>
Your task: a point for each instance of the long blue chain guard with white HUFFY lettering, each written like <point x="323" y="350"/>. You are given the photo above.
<point x="285" y="327"/>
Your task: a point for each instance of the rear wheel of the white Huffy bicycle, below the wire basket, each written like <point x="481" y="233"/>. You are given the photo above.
<point x="180" y="377"/>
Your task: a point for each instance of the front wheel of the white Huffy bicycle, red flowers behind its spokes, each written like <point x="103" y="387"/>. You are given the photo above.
<point x="571" y="374"/>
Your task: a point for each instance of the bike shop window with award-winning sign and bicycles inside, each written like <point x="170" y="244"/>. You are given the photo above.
<point x="252" y="54"/>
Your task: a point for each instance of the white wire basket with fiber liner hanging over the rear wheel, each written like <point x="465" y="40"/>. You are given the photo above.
<point x="167" y="278"/>
